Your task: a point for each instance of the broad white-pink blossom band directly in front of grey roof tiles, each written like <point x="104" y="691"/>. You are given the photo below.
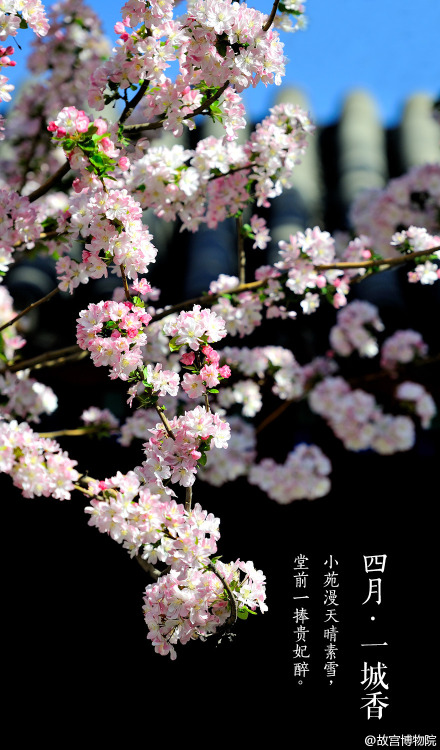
<point x="213" y="182"/>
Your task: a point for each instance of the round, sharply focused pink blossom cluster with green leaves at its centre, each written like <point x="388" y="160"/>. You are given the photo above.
<point x="113" y="332"/>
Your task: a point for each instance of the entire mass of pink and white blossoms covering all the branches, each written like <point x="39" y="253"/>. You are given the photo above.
<point x="74" y="188"/>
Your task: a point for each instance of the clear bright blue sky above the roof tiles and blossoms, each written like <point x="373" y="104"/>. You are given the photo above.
<point x="390" y="48"/>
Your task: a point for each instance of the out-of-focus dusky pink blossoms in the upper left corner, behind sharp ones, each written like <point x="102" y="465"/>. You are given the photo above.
<point x="61" y="64"/>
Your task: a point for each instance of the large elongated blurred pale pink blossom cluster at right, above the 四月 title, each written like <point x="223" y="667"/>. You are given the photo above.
<point x="358" y="421"/>
